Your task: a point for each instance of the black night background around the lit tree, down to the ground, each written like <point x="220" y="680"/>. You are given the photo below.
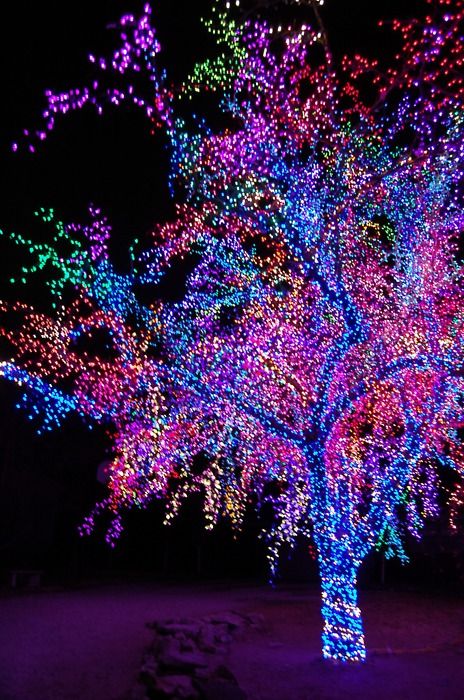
<point x="48" y="483"/>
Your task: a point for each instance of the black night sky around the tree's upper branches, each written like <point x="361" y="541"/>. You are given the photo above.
<point x="112" y="160"/>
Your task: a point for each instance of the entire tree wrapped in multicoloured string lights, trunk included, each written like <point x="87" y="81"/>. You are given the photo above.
<point x="315" y="359"/>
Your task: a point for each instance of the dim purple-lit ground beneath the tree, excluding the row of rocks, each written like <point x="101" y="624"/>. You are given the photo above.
<point x="87" y="644"/>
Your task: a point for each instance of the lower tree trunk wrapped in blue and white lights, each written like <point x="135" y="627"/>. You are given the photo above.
<point x="343" y="636"/>
